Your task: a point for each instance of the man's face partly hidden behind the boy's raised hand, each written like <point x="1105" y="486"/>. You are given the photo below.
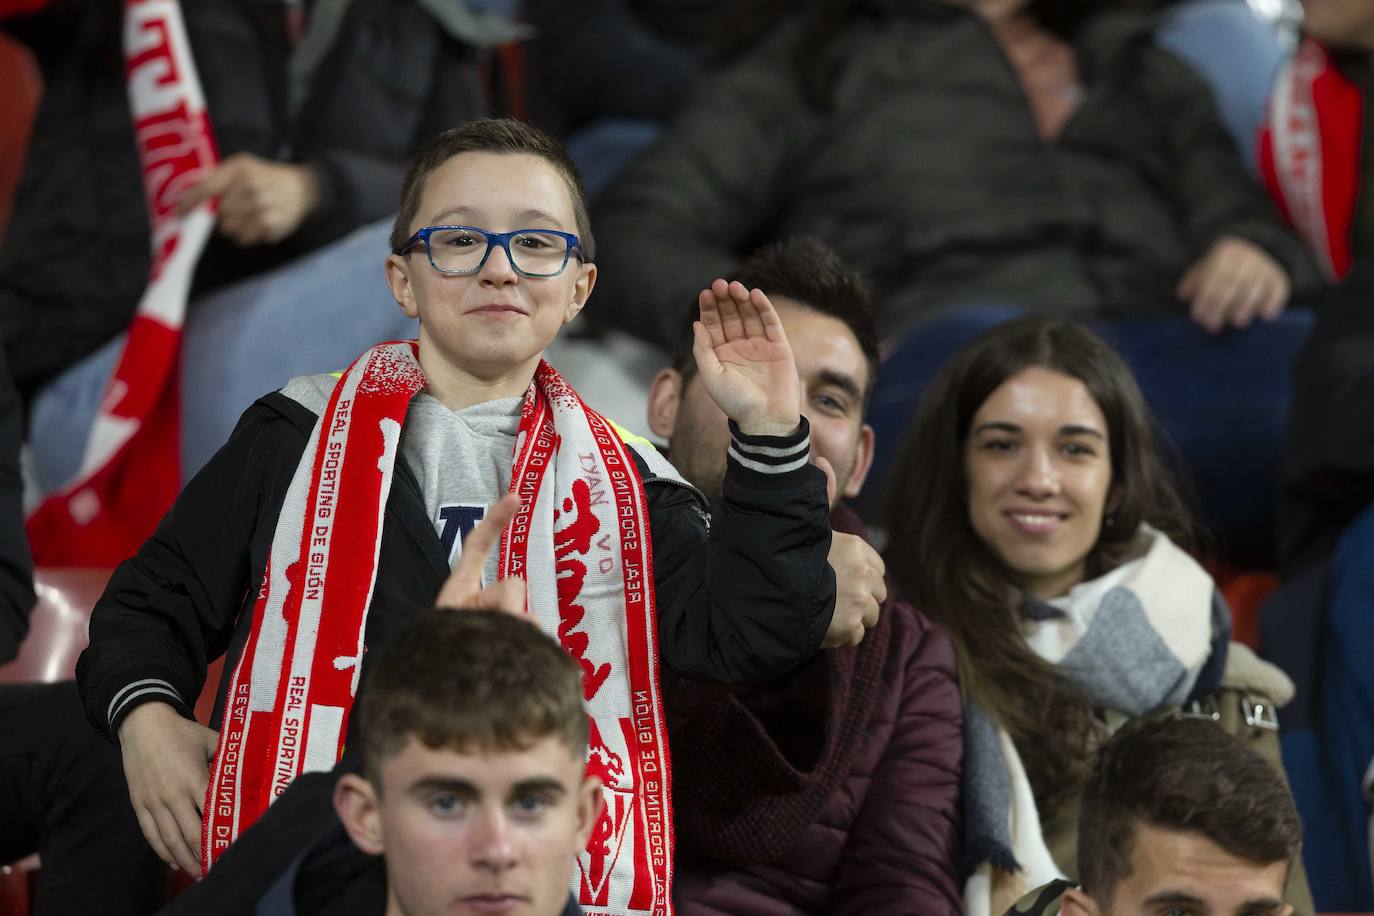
<point x="835" y="377"/>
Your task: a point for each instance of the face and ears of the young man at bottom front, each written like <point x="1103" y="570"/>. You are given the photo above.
<point x="483" y="833"/>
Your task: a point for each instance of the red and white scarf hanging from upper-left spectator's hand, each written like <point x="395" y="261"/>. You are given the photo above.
<point x="131" y="470"/>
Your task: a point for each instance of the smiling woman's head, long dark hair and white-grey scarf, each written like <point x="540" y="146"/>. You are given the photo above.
<point x="1034" y="518"/>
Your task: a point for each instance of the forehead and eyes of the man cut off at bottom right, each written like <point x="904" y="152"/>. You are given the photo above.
<point x="1185" y="874"/>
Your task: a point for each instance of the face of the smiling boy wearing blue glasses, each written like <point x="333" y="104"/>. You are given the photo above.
<point x="494" y="323"/>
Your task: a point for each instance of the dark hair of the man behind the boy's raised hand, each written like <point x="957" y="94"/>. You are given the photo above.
<point x="811" y="274"/>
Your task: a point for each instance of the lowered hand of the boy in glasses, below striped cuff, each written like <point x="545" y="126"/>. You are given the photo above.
<point x="167" y="763"/>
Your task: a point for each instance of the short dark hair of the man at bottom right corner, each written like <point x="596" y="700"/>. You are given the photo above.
<point x="1181" y="775"/>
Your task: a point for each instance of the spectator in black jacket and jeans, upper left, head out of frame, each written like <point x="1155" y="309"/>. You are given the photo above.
<point x="315" y="109"/>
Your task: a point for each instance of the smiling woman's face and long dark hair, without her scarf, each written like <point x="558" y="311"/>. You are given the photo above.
<point x="1000" y="498"/>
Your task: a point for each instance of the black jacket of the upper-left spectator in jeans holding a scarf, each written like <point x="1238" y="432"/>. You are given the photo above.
<point x="76" y="256"/>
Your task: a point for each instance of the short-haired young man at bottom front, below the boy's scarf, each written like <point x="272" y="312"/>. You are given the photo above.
<point x="475" y="788"/>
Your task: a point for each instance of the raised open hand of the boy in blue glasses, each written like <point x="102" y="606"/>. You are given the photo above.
<point x="745" y="360"/>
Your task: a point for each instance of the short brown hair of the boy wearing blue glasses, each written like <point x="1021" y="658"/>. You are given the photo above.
<point x="491" y="135"/>
